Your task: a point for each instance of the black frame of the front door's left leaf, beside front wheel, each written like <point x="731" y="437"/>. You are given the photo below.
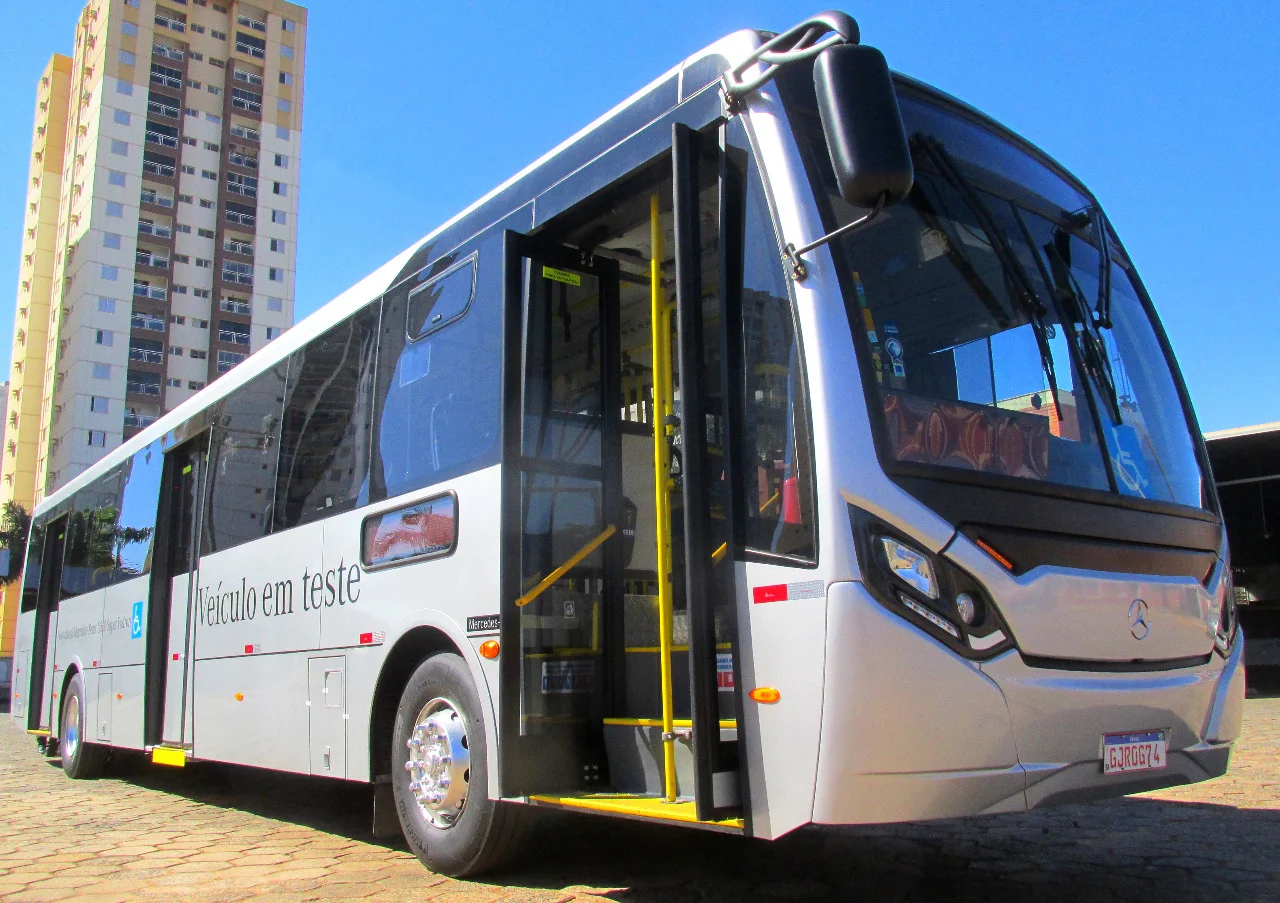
<point x="550" y="763"/>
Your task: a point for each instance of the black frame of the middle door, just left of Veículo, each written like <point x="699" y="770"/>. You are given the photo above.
<point x="162" y="603"/>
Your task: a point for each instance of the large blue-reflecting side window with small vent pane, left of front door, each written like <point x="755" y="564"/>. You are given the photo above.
<point x="438" y="398"/>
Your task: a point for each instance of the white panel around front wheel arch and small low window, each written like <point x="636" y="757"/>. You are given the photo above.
<point x="440" y="592"/>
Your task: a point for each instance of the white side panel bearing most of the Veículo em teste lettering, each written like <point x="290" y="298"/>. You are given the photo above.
<point x="258" y="621"/>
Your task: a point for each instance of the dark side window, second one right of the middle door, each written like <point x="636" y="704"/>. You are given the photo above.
<point x="328" y="418"/>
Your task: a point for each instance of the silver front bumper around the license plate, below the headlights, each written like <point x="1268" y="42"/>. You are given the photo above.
<point x="912" y="731"/>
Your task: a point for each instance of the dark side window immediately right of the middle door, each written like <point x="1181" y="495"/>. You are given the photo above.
<point x="241" y="484"/>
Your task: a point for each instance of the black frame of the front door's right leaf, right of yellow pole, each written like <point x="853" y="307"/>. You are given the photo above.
<point x="720" y="772"/>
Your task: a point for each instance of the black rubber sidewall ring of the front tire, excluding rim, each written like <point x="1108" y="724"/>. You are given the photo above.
<point x="463" y="849"/>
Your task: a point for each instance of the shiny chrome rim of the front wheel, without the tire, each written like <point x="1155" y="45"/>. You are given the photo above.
<point x="440" y="763"/>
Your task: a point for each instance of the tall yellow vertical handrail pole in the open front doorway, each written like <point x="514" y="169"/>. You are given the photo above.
<point x="662" y="407"/>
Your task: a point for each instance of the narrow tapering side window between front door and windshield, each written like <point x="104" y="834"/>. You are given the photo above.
<point x="778" y="460"/>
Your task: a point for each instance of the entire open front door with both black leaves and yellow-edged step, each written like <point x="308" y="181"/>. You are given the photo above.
<point x="619" y="626"/>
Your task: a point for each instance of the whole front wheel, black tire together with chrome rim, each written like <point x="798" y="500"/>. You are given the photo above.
<point x="451" y="826"/>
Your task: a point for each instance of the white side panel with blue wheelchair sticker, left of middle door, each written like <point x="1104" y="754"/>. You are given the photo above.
<point x="125" y="613"/>
